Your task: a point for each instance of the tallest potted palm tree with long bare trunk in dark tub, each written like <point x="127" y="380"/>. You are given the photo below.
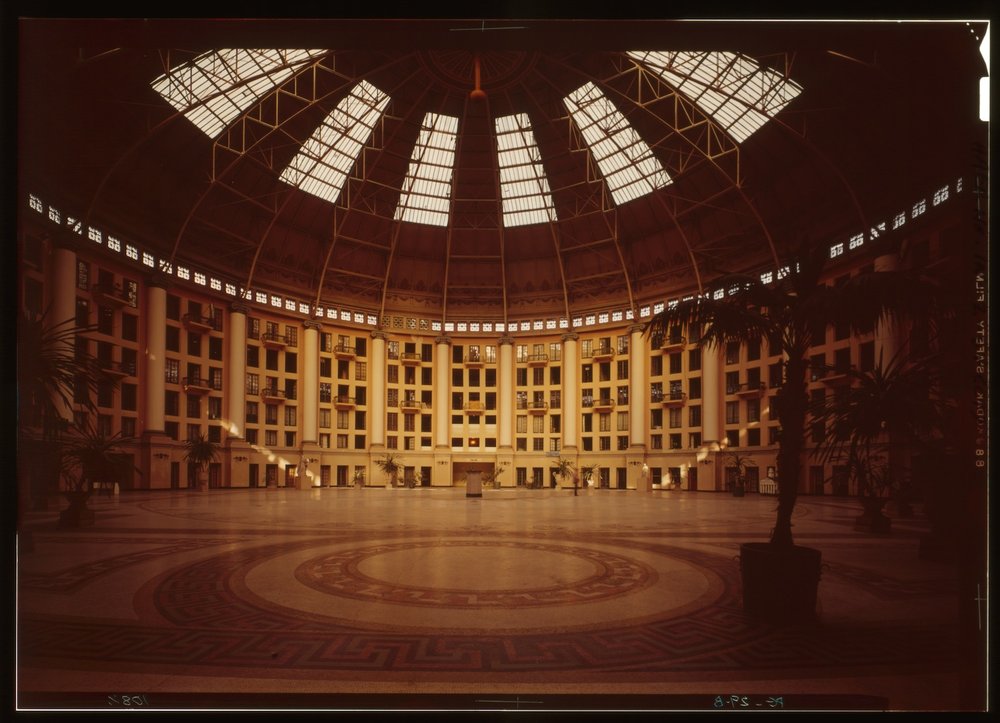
<point x="780" y="578"/>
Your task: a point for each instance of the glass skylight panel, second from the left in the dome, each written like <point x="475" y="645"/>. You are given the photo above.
<point x="322" y="164"/>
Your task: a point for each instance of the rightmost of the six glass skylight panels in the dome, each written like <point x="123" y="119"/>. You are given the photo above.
<point x="740" y="95"/>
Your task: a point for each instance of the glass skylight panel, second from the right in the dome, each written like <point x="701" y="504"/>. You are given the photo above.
<point x="629" y="167"/>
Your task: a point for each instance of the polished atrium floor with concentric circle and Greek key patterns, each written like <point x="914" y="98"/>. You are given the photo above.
<point x="423" y="598"/>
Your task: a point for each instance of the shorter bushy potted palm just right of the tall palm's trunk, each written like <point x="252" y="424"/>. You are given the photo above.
<point x="887" y="411"/>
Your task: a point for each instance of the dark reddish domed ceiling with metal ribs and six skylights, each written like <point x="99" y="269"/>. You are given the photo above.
<point x="496" y="170"/>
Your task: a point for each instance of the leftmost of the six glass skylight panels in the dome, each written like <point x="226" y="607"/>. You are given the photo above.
<point x="216" y="87"/>
